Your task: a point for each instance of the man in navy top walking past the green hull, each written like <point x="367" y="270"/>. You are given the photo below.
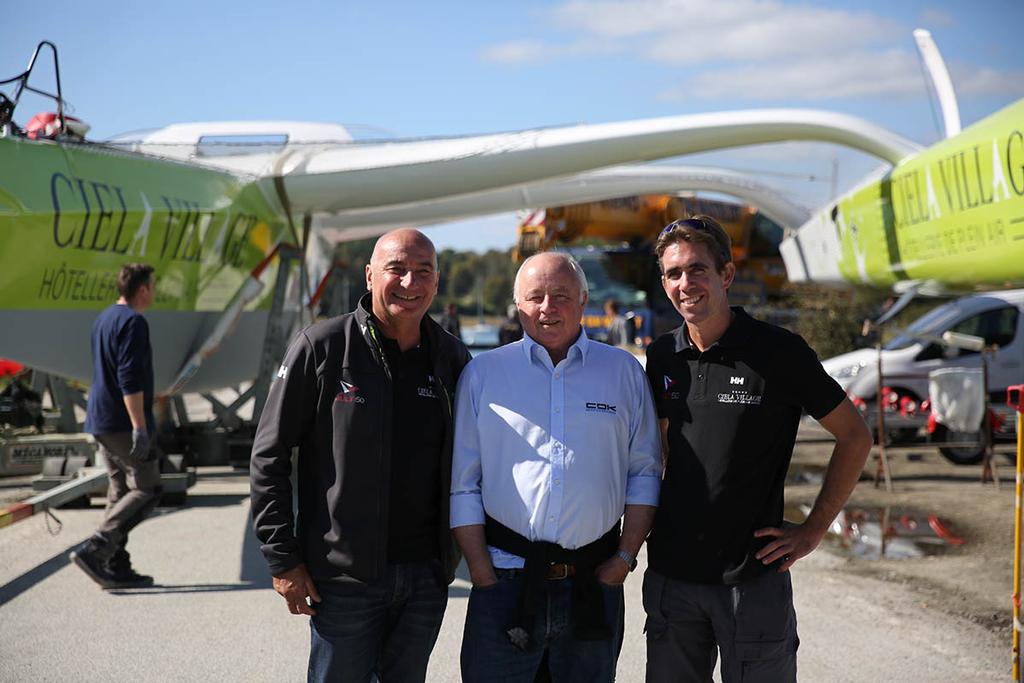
<point x="119" y="415"/>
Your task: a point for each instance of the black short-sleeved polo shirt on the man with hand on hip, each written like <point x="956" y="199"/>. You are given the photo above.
<point x="734" y="413"/>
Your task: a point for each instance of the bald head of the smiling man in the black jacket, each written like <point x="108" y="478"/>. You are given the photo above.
<point x="402" y="278"/>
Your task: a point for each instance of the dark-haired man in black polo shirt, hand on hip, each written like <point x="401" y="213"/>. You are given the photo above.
<point x="731" y="392"/>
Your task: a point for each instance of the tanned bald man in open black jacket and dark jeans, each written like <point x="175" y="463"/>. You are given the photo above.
<point x="367" y="399"/>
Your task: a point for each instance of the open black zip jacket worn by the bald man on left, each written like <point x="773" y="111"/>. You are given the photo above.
<point x="332" y="399"/>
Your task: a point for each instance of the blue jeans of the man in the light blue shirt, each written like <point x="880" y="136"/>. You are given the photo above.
<point x="488" y="656"/>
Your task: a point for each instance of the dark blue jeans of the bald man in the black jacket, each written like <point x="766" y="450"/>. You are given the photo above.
<point x="388" y="628"/>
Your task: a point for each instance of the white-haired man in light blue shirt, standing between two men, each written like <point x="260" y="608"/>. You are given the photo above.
<point x="557" y="439"/>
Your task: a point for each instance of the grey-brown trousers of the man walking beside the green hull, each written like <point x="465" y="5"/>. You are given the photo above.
<point x="133" y="494"/>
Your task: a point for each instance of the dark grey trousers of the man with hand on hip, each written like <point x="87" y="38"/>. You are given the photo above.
<point x="753" y="625"/>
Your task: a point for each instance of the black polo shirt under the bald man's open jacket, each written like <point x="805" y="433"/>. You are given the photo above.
<point x="416" y="455"/>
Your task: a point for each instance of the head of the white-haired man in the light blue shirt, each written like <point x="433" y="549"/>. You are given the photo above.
<point x="550" y="304"/>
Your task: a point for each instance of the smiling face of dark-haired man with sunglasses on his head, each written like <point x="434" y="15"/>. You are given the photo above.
<point x="696" y="289"/>
